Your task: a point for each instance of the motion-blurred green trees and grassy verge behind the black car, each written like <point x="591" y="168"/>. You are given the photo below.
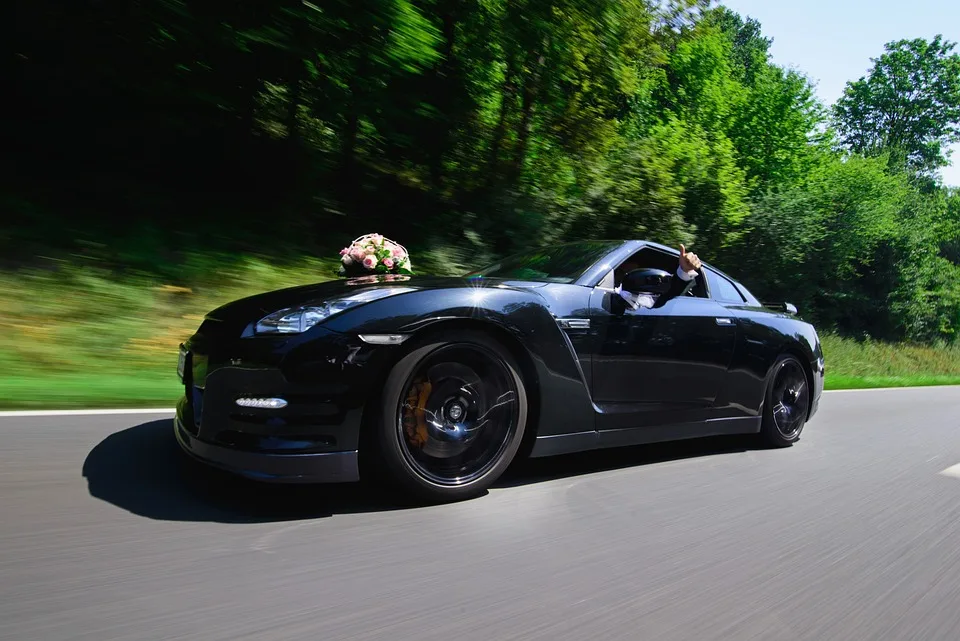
<point x="166" y="156"/>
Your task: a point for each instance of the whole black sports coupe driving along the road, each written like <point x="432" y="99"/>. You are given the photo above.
<point x="439" y="383"/>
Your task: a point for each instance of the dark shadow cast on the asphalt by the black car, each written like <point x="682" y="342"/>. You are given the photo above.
<point x="141" y="469"/>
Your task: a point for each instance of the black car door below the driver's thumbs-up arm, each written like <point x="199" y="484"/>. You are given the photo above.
<point x="660" y="365"/>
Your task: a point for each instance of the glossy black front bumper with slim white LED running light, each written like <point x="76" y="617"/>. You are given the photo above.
<point x="311" y="437"/>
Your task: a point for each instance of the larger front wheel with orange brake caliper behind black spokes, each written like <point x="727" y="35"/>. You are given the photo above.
<point x="453" y="415"/>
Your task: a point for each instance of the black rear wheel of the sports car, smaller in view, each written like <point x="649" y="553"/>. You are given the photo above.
<point x="786" y="402"/>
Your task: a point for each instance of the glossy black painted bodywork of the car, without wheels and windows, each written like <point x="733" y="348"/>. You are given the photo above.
<point x="589" y="384"/>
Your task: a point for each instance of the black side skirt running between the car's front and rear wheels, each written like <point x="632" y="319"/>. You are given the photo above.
<point x="592" y="440"/>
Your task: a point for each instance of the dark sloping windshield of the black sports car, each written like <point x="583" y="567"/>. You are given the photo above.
<point x="558" y="264"/>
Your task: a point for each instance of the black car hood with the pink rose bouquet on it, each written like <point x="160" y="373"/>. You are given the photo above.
<point x="255" y="307"/>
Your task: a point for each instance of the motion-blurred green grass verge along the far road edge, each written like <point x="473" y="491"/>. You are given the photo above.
<point x="76" y="336"/>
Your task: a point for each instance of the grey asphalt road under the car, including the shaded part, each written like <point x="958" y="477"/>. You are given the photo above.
<point x="854" y="533"/>
